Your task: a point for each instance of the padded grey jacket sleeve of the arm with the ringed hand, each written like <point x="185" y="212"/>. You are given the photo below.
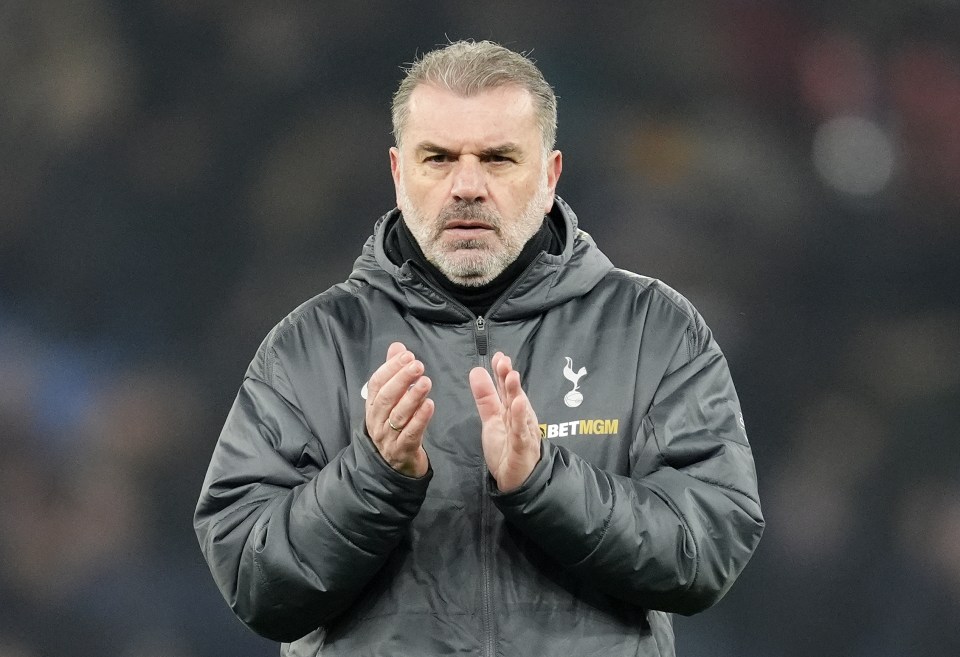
<point x="291" y="546"/>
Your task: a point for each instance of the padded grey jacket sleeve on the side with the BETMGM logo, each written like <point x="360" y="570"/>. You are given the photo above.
<point x="676" y="533"/>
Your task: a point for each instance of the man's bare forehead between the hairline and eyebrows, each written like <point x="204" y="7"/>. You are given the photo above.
<point x="499" y="115"/>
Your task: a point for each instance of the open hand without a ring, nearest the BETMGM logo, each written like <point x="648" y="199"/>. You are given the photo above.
<point x="510" y="435"/>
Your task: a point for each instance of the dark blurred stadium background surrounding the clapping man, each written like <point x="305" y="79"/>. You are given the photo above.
<point x="177" y="175"/>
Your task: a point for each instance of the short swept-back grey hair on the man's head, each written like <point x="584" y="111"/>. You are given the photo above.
<point x="470" y="67"/>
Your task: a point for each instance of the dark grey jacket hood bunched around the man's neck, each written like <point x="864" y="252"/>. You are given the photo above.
<point x="549" y="281"/>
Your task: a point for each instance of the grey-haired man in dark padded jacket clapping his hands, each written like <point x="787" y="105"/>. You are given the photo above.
<point x="390" y="482"/>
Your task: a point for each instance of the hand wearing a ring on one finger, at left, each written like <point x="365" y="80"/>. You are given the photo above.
<point x="398" y="411"/>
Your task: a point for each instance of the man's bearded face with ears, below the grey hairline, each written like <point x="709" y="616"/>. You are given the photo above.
<point x="471" y="178"/>
